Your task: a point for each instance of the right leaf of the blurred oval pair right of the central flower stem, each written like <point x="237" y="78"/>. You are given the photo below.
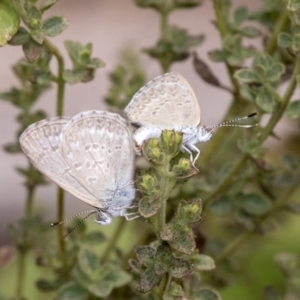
<point x="254" y="204"/>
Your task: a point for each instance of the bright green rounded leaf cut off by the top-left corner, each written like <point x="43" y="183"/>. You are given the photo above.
<point x="9" y="22"/>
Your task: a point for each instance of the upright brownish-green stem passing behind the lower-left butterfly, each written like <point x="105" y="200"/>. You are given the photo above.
<point x="59" y="112"/>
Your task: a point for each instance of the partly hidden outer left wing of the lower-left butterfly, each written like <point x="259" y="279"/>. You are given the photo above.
<point x="42" y="144"/>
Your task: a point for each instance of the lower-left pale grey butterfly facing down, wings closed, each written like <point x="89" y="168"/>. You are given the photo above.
<point x="89" y="155"/>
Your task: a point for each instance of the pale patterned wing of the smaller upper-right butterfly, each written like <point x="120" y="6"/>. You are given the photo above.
<point x="165" y="102"/>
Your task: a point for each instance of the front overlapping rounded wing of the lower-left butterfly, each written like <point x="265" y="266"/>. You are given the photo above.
<point x="98" y="147"/>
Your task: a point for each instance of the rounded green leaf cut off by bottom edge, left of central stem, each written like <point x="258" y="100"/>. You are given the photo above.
<point x="72" y="291"/>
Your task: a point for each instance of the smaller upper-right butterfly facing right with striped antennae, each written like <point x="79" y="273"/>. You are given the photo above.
<point x="169" y="102"/>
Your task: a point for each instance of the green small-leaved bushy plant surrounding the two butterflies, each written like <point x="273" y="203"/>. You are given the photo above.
<point x="238" y="192"/>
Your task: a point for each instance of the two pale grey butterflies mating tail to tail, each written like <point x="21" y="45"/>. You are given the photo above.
<point x="91" y="155"/>
